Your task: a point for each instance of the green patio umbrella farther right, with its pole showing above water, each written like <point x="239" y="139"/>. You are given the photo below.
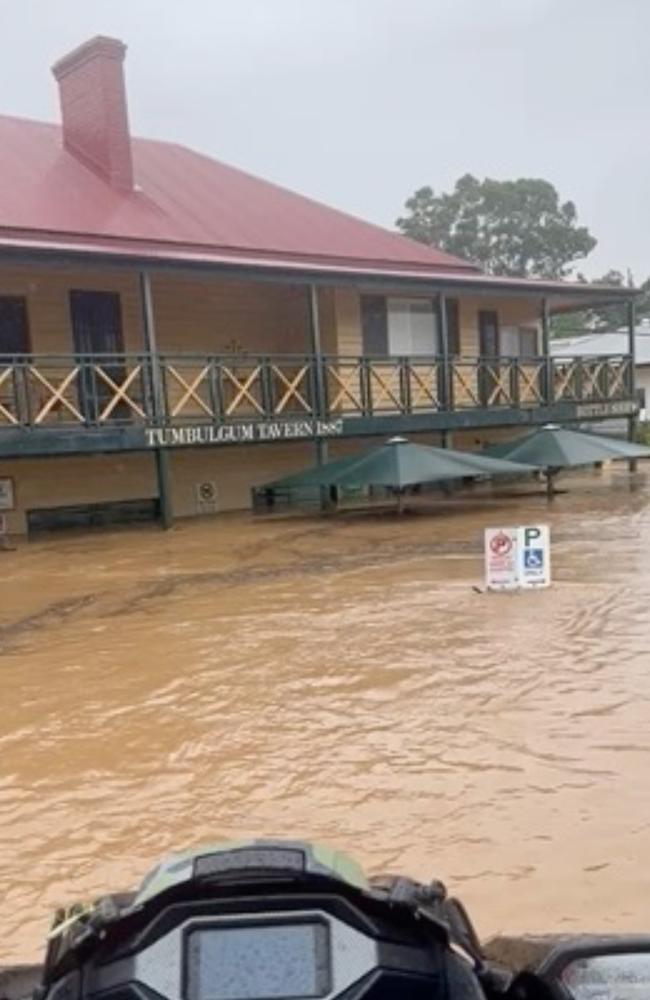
<point x="553" y="448"/>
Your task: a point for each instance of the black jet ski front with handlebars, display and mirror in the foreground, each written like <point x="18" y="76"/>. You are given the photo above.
<point x="277" y="920"/>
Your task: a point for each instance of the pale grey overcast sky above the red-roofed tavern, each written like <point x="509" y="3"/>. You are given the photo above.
<point x="359" y="102"/>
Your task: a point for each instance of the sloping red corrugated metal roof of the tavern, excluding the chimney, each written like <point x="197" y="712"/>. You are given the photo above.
<point x="186" y="201"/>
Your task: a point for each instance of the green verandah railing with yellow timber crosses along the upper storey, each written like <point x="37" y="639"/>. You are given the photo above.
<point x="167" y="390"/>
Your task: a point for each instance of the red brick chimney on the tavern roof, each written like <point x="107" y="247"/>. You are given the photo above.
<point x="93" y="109"/>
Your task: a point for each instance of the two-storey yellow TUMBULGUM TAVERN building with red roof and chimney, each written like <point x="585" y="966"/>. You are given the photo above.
<point x="174" y="332"/>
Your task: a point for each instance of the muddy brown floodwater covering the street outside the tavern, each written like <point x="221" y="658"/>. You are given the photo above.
<point x="335" y="679"/>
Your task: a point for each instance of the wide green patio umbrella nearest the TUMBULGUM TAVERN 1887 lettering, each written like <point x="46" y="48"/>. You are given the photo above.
<point x="398" y="464"/>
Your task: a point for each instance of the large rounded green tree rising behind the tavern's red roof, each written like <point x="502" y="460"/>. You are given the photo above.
<point x="517" y="228"/>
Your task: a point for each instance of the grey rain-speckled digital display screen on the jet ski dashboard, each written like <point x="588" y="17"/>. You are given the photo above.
<point x="259" y="962"/>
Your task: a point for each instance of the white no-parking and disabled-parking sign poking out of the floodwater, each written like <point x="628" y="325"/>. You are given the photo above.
<point x="518" y="557"/>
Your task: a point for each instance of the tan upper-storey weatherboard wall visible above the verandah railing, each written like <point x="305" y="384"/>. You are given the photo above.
<point x="217" y="316"/>
